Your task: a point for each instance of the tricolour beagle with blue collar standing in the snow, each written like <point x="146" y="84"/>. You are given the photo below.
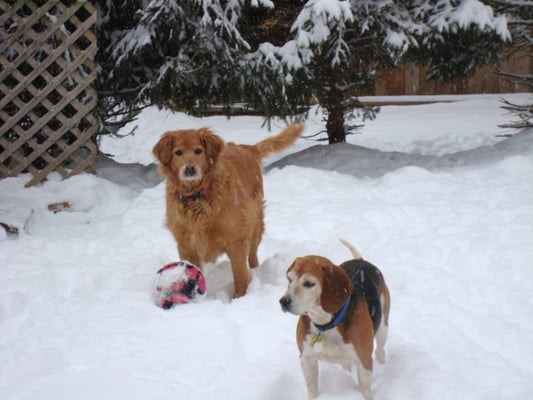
<point x="342" y="309"/>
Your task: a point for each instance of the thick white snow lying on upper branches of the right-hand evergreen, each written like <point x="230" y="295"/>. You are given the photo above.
<point x="319" y="18"/>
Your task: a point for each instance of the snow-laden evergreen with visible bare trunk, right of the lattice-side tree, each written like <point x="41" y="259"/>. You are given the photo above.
<point x="337" y="45"/>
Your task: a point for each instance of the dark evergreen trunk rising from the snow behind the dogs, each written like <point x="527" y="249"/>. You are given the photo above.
<point x="335" y="122"/>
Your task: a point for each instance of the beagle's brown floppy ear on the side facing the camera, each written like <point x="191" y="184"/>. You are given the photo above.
<point x="336" y="288"/>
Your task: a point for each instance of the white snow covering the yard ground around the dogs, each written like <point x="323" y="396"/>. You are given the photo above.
<point x="433" y="194"/>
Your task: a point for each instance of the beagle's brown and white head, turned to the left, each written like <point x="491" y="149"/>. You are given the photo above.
<point x="317" y="288"/>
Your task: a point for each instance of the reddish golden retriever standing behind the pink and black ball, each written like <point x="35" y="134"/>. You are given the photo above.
<point x="214" y="196"/>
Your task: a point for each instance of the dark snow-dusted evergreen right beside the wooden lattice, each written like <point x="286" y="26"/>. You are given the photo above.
<point x="183" y="55"/>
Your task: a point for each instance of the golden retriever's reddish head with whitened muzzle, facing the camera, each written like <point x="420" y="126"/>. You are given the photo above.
<point x="186" y="156"/>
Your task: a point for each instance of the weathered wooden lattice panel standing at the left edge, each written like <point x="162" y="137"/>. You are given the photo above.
<point x="46" y="99"/>
